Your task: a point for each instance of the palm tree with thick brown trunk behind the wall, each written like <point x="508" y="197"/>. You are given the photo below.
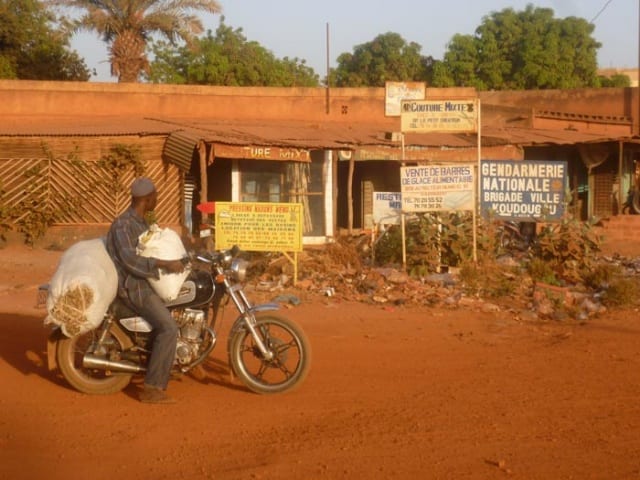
<point x="127" y="25"/>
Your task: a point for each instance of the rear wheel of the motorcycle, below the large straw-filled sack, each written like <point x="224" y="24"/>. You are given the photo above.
<point x="69" y="354"/>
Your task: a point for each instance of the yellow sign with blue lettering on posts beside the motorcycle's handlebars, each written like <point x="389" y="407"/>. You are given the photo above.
<point x="259" y="227"/>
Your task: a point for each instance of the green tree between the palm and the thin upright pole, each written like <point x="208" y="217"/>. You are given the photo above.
<point x="227" y="58"/>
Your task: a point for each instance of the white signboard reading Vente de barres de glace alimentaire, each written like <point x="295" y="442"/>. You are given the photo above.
<point x="437" y="188"/>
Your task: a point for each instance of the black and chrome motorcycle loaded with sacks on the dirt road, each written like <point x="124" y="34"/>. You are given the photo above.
<point x="269" y="353"/>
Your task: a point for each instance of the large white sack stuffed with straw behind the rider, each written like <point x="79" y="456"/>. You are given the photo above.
<point x="82" y="288"/>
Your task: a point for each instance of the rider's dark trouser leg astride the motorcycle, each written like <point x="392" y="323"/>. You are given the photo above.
<point x="165" y="337"/>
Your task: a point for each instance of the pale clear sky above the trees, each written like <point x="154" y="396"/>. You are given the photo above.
<point x="298" y="28"/>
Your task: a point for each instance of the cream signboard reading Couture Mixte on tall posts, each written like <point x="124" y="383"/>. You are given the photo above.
<point x="424" y="116"/>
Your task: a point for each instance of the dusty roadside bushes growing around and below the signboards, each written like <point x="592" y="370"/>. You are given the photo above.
<point x="565" y="254"/>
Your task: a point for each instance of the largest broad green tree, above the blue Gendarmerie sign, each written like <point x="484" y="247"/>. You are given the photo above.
<point x="529" y="49"/>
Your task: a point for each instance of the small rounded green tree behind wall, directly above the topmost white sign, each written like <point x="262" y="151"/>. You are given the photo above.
<point x="388" y="57"/>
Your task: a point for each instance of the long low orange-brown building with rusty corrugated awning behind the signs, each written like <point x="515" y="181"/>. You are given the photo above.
<point x="327" y="149"/>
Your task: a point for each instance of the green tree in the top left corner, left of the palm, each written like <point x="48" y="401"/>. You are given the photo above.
<point x="32" y="49"/>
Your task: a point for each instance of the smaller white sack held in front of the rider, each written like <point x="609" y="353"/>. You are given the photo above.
<point x="165" y="244"/>
